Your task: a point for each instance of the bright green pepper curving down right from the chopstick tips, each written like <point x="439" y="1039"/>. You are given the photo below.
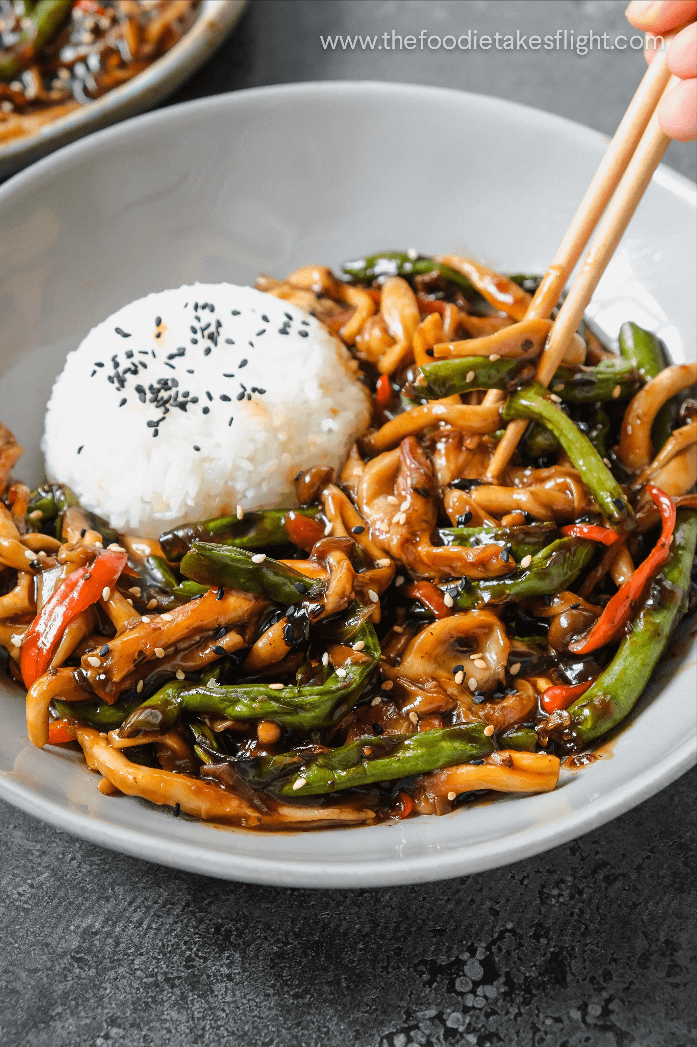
<point x="533" y="403"/>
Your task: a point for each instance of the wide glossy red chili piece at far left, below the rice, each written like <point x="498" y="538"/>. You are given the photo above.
<point x="79" y="591"/>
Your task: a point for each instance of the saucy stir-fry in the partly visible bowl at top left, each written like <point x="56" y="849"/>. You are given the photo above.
<point x="59" y="55"/>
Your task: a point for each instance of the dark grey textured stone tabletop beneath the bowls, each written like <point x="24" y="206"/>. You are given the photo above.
<point x="589" y="946"/>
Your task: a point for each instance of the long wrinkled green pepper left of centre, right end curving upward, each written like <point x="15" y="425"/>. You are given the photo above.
<point x="297" y="707"/>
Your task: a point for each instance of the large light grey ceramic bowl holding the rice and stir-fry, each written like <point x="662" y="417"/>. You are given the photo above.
<point x="265" y="181"/>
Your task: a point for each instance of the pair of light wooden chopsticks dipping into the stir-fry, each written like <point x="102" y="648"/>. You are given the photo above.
<point x="619" y="185"/>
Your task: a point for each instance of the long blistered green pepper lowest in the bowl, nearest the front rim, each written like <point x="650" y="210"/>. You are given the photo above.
<point x="372" y="760"/>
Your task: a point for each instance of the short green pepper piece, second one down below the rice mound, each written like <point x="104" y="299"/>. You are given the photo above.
<point x="236" y="569"/>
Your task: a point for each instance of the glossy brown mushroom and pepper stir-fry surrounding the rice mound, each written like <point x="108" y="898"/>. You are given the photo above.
<point x="417" y="630"/>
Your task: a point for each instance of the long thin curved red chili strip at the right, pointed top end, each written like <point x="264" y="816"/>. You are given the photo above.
<point x="620" y="609"/>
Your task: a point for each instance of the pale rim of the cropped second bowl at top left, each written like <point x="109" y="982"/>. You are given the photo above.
<point x="215" y="21"/>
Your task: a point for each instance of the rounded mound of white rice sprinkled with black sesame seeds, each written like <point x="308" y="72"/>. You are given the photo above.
<point x="192" y="402"/>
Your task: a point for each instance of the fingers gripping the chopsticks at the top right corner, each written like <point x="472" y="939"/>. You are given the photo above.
<point x="678" y="113"/>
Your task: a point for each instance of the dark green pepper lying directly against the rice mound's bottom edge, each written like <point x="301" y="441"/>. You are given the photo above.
<point x="256" y="530"/>
